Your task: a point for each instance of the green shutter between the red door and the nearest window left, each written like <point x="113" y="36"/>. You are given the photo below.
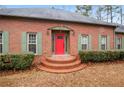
<point x="39" y="43"/>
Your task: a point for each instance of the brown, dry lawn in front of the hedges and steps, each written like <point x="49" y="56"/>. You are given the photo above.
<point x="99" y="74"/>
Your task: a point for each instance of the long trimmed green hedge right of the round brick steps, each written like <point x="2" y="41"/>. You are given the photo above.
<point x="101" y="56"/>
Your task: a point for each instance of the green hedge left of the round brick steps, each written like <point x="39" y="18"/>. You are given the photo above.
<point x="16" y="61"/>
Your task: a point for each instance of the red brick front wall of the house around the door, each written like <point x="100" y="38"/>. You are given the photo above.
<point x="15" y="27"/>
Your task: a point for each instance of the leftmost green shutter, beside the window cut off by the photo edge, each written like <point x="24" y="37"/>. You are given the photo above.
<point x="5" y="42"/>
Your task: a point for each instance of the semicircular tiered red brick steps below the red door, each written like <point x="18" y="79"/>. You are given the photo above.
<point x="61" y="64"/>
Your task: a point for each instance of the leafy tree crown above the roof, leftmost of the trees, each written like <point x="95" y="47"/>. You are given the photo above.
<point x="85" y="10"/>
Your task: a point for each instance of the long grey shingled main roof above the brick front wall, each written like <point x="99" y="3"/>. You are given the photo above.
<point x="51" y="14"/>
